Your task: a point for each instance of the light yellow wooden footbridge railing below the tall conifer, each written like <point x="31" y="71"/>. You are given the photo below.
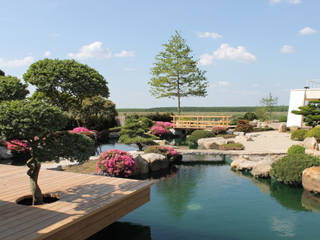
<point x="200" y="121"/>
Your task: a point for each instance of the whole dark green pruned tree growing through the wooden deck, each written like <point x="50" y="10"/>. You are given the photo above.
<point x="36" y="124"/>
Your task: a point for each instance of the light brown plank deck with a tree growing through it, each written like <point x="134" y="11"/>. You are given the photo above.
<point x="87" y="204"/>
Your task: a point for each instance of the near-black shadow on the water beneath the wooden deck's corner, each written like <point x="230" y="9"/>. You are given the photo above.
<point x="123" y="230"/>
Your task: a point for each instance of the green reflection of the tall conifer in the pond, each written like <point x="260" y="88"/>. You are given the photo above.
<point x="178" y="191"/>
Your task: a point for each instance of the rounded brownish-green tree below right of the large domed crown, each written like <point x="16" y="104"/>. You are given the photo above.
<point x="98" y="113"/>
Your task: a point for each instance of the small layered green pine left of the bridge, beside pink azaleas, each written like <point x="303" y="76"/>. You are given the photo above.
<point x="135" y="132"/>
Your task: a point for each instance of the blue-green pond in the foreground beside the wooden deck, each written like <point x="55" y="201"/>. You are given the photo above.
<point x="213" y="202"/>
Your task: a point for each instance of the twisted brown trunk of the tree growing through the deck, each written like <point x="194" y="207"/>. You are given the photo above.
<point x="33" y="172"/>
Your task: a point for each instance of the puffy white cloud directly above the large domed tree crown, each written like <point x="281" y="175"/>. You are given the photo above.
<point x="92" y="50"/>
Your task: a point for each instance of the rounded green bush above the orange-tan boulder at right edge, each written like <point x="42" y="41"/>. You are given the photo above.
<point x="289" y="169"/>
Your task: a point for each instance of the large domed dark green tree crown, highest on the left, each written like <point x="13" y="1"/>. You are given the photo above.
<point x="66" y="83"/>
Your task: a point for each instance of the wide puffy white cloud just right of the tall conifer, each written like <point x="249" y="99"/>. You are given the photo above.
<point x="227" y="52"/>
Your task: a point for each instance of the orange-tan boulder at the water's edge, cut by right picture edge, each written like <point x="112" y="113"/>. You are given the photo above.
<point x="311" y="179"/>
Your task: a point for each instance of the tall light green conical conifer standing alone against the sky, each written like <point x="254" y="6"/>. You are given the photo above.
<point x="175" y="72"/>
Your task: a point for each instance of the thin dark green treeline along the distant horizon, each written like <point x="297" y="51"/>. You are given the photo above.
<point x="202" y="109"/>
